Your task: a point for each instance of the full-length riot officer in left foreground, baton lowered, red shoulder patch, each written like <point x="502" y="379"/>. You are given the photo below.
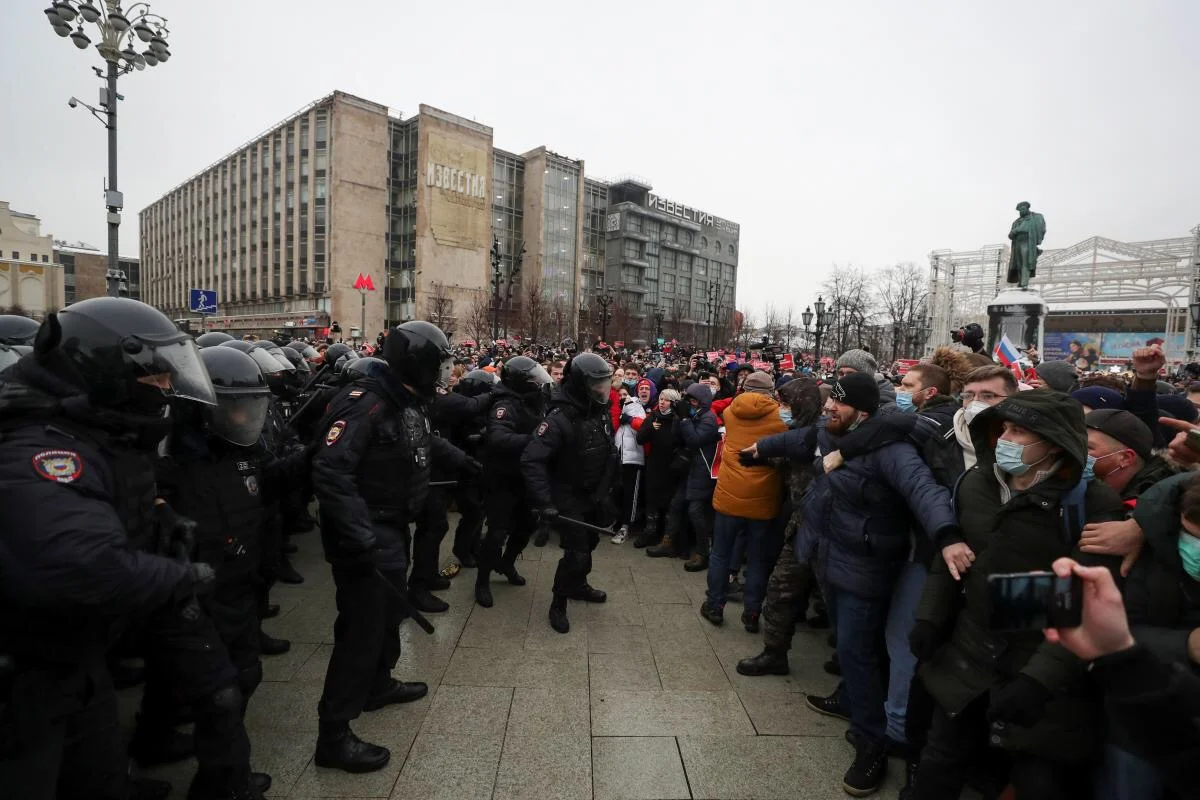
<point x="371" y="473"/>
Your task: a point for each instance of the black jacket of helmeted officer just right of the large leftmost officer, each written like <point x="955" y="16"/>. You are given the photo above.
<point x="220" y="488"/>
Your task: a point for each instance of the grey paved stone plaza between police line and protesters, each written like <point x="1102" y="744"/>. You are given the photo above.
<point x="641" y="700"/>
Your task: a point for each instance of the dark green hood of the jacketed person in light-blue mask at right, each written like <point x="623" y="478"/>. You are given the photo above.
<point x="1053" y="416"/>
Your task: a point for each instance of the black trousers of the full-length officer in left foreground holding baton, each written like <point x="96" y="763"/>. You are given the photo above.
<point x="367" y="640"/>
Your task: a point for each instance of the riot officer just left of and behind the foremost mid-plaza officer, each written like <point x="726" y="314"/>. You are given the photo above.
<point x="520" y="406"/>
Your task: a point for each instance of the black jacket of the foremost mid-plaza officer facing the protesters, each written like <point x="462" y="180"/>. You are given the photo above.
<point x="571" y="461"/>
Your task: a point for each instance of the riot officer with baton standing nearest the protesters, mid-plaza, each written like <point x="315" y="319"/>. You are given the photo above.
<point x="568" y="470"/>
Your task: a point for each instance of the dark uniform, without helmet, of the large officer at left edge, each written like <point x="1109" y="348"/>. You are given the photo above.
<point x="69" y="578"/>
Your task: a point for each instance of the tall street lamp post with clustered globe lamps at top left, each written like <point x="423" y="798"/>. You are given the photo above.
<point x="117" y="28"/>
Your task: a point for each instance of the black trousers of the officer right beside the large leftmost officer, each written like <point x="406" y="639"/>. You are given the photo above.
<point x="188" y="664"/>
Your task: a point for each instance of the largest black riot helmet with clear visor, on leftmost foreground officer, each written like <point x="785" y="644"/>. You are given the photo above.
<point x="124" y="354"/>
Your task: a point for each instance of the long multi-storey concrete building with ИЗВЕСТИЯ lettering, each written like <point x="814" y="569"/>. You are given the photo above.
<point x="283" y="228"/>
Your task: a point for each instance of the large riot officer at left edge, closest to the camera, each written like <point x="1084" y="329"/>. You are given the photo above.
<point x="79" y="418"/>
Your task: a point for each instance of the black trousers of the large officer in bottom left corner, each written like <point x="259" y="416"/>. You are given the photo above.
<point x="58" y="736"/>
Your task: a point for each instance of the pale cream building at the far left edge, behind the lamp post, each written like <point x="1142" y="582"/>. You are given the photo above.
<point x="31" y="276"/>
